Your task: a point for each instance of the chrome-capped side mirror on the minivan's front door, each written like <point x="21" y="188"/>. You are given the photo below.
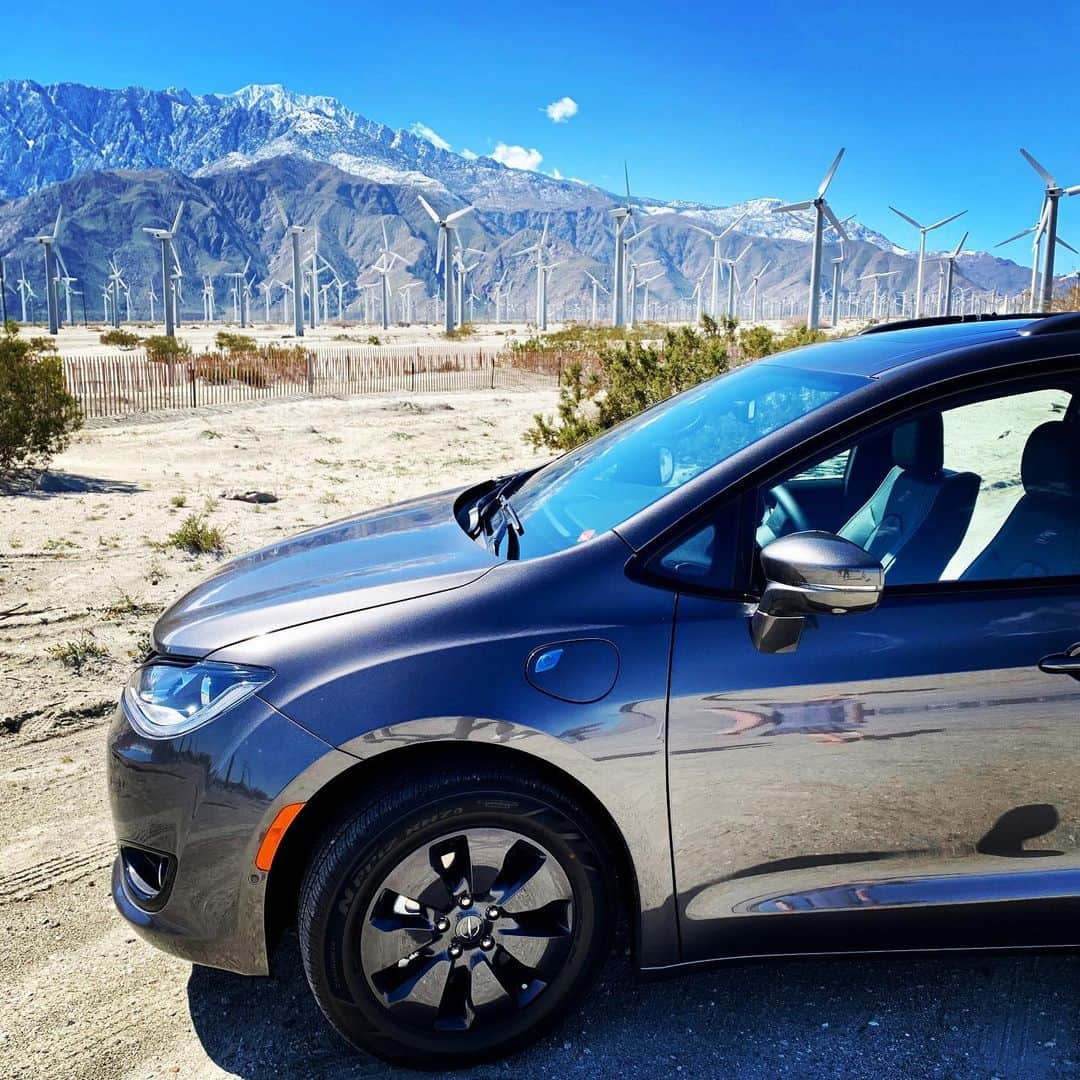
<point x="812" y="574"/>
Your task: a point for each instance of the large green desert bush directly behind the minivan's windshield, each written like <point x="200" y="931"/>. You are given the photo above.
<point x="627" y="380"/>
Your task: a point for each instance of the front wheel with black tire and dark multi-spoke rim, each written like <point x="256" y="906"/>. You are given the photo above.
<point x="435" y="983"/>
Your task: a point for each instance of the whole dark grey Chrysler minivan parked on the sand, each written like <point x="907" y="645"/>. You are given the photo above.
<point x="786" y="665"/>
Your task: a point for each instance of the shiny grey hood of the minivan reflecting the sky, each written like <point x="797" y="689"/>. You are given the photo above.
<point x="398" y="553"/>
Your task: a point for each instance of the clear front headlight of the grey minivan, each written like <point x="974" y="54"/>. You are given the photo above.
<point x="170" y="699"/>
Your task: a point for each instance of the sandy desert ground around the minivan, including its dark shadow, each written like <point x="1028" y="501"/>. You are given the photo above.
<point x="83" y="576"/>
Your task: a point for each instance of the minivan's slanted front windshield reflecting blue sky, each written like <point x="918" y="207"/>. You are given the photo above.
<point x="602" y="483"/>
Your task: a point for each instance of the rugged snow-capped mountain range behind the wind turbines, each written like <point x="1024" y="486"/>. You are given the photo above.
<point x="119" y="159"/>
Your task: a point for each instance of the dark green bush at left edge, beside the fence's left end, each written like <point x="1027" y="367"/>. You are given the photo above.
<point x="37" y="414"/>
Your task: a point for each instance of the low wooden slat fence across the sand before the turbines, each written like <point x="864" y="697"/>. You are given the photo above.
<point x="112" y="385"/>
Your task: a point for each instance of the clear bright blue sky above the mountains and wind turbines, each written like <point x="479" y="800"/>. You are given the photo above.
<point x="718" y="103"/>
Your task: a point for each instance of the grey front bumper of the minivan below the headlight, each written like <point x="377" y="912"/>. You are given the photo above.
<point x="207" y="800"/>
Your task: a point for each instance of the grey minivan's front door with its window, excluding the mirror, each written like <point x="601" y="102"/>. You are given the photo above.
<point x="906" y="761"/>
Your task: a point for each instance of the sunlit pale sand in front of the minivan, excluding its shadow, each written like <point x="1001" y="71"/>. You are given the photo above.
<point x="82" y="566"/>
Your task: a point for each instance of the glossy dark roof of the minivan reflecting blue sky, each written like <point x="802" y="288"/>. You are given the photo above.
<point x="882" y="350"/>
